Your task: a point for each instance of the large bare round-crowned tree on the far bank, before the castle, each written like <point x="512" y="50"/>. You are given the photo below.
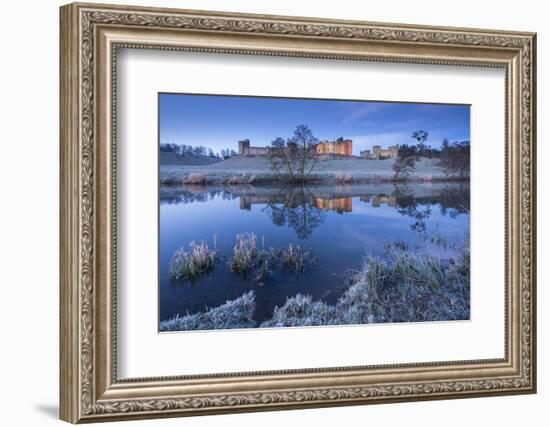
<point x="295" y="158"/>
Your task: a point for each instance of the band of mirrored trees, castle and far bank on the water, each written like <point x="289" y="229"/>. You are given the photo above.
<point x="302" y="208"/>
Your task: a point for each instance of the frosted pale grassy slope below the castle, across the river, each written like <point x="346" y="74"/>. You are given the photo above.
<point x="258" y="171"/>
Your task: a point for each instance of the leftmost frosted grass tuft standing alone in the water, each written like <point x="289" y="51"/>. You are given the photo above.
<point x="189" y="265"/>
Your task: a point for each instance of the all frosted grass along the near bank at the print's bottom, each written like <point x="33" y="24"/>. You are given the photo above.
<point x="402" y="286"/>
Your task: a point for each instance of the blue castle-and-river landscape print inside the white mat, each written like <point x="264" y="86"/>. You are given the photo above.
<point x="290" y="212"/>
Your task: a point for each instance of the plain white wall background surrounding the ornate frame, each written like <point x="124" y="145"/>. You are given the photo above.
<point x="29" y="171"/>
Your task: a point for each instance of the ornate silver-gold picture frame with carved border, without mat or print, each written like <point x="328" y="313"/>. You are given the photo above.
<point x="90" y="36"/>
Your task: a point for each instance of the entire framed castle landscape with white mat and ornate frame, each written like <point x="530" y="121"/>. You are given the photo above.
<point x="266" y="212"/>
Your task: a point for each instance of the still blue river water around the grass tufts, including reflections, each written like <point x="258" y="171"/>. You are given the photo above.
<point x="339" y="224"/>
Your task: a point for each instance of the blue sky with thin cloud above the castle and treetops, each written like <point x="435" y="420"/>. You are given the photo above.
<point x="220" y="121"/>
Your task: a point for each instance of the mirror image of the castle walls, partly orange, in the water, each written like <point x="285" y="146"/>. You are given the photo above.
<point x="334" y="204"/>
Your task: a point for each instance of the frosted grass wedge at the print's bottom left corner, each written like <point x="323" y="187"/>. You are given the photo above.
<point x="237" y="313"/>
